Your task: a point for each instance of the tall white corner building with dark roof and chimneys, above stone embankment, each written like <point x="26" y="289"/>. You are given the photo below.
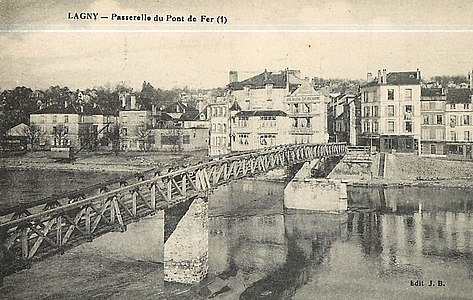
<point x="391" y="111"/>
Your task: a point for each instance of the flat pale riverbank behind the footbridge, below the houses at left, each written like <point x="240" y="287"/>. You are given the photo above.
<point x="102" y="162"/>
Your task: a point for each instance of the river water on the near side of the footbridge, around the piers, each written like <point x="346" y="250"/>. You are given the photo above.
<point x="390" y="241"/>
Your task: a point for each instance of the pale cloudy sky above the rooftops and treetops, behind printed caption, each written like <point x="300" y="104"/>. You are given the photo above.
<point x="41" y="47"/>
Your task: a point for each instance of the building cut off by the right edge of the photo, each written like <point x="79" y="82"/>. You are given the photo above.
<point x="459" y="124"/>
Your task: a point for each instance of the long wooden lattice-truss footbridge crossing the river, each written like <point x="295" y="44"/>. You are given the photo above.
<point x="57" y="223"/>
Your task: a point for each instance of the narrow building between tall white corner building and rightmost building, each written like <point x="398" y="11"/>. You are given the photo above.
<point x="432" y="108"/>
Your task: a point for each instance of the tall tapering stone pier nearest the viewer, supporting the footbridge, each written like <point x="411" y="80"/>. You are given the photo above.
<point x="186" y="242"/>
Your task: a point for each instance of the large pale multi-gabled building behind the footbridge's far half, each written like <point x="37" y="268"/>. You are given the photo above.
<point x="267" y="109"/>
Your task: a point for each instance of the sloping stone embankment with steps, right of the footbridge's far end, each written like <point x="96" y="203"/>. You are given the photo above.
<point x="412" y="170"/>
